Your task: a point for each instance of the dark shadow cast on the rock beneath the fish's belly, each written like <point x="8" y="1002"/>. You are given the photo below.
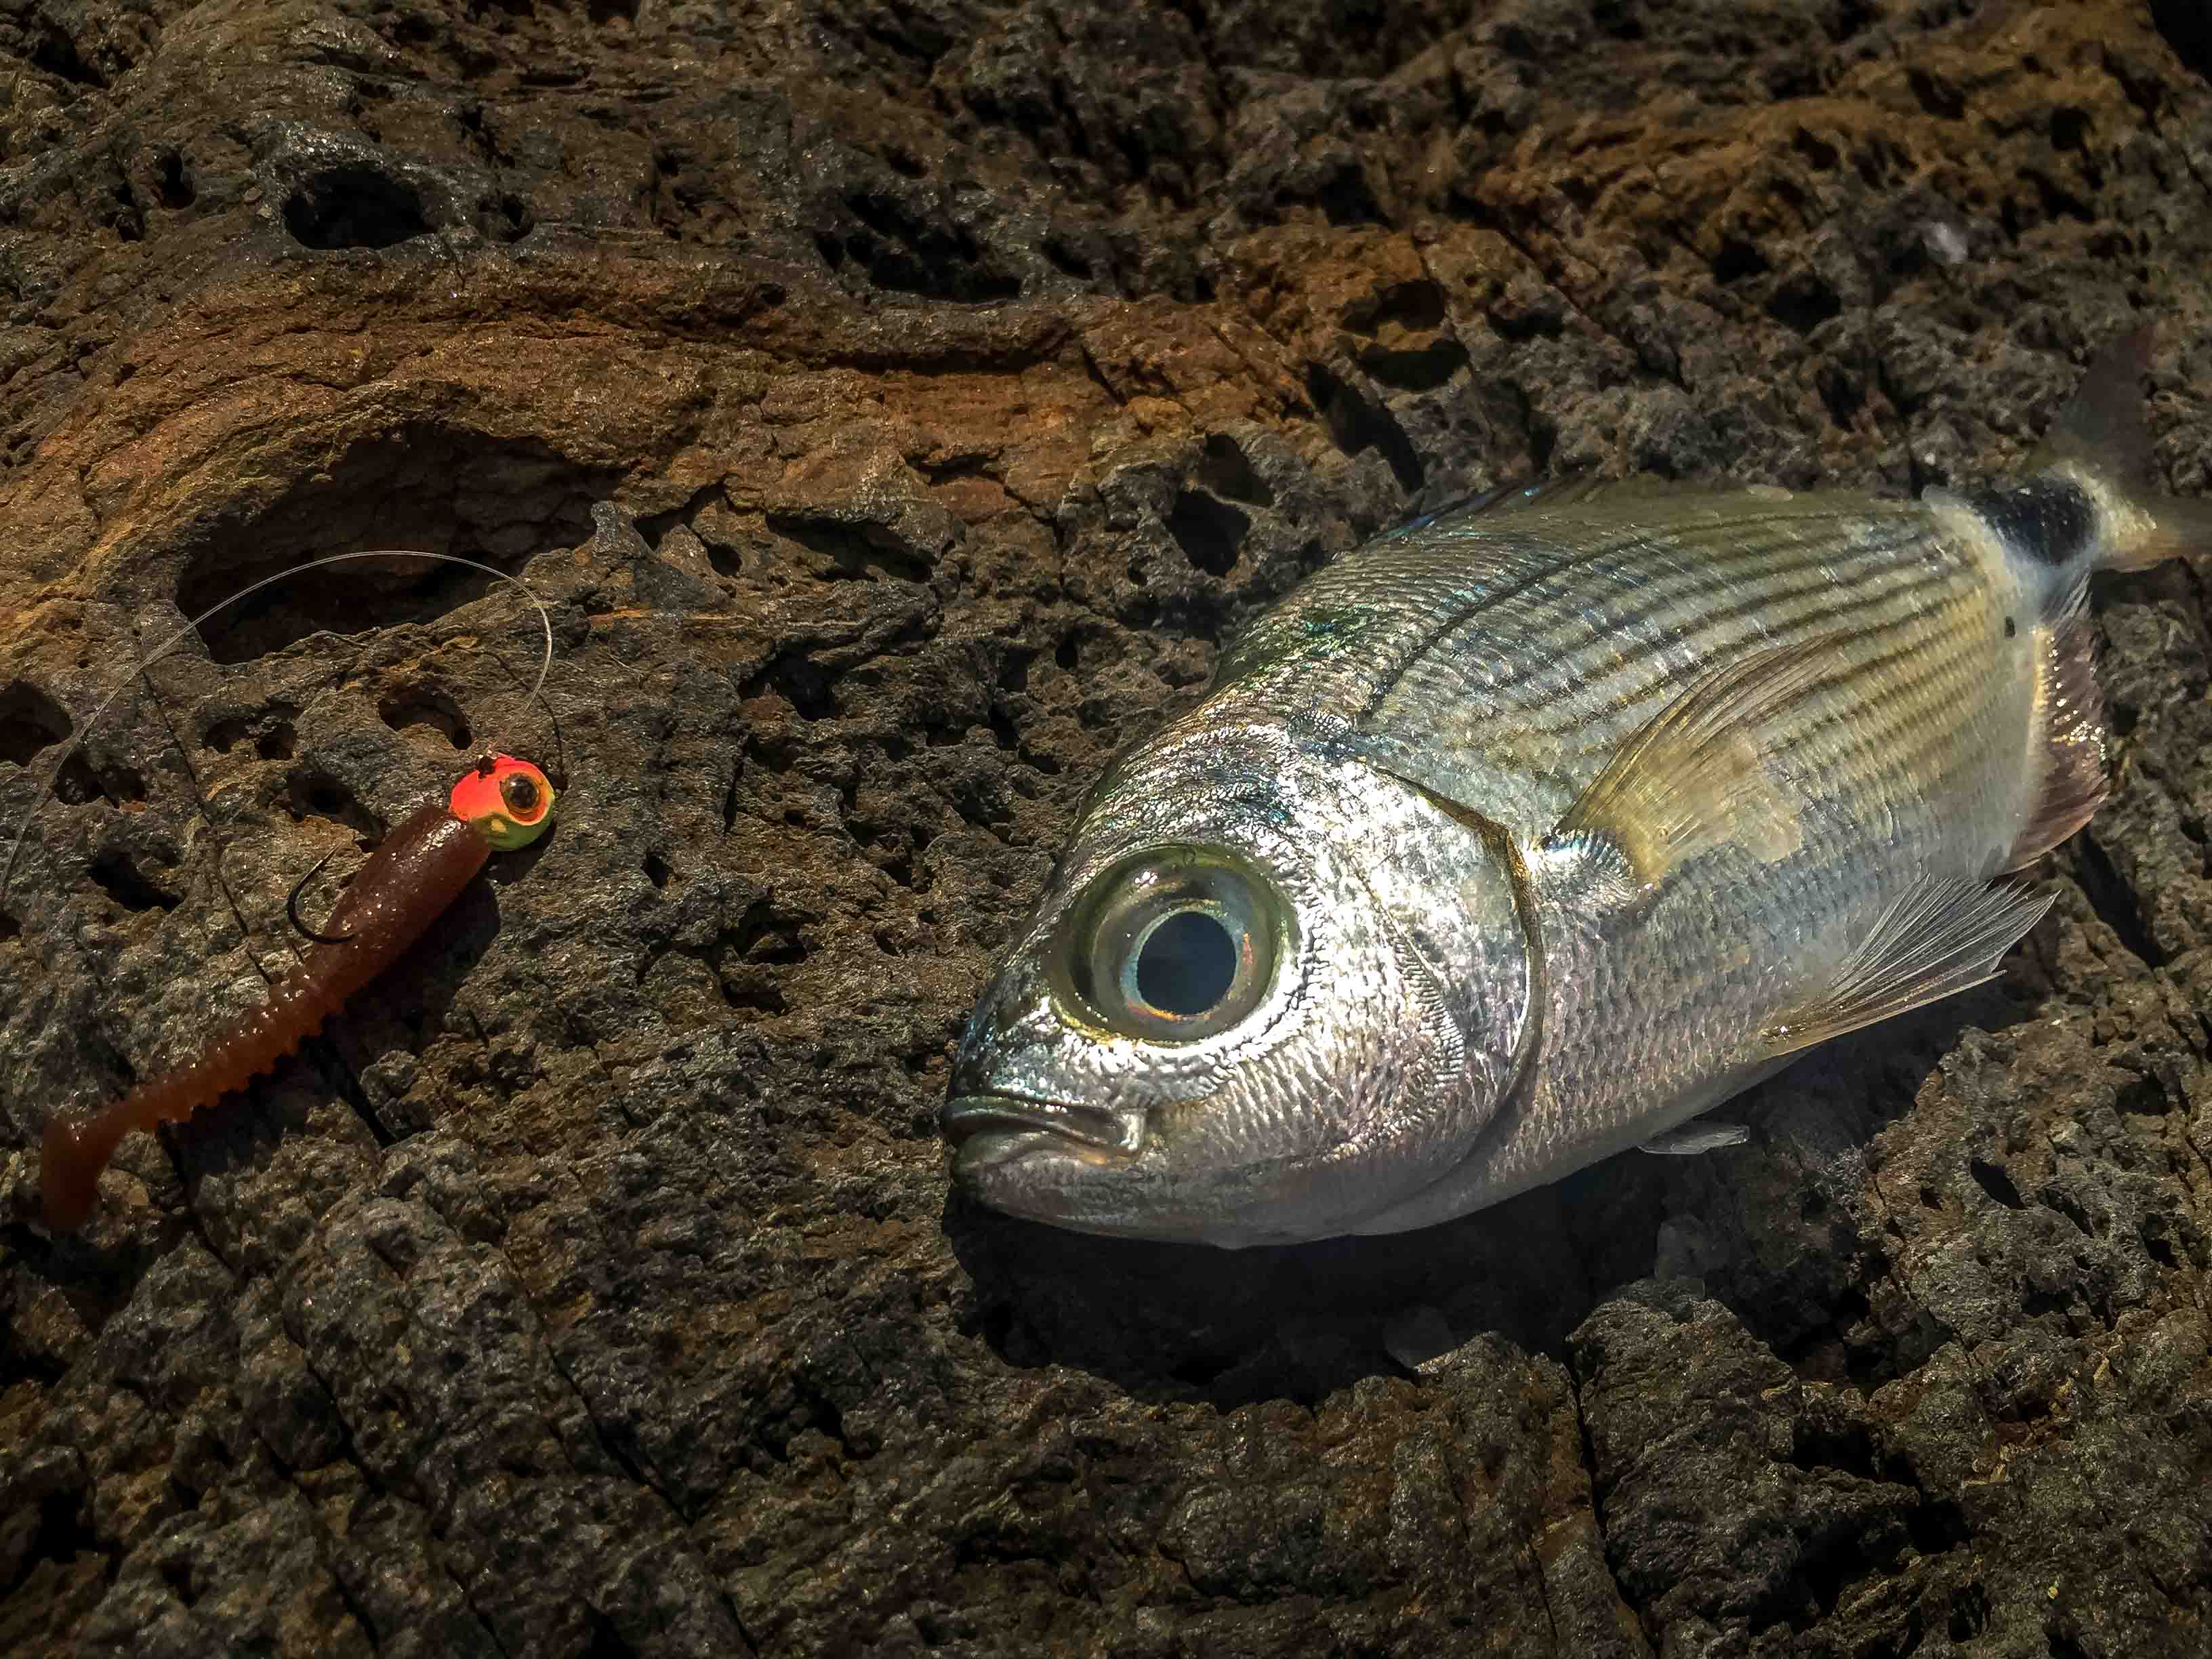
<point x="1762" y="1224"/>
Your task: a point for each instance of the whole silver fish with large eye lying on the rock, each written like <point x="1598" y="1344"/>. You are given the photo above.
<point x="1530" y="833"/>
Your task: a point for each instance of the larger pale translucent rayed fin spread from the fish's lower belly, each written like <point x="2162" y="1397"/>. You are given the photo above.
<point x="1943" y="937"/>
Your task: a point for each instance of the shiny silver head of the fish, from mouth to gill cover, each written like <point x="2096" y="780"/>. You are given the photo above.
<point x="1220" y="1025"/>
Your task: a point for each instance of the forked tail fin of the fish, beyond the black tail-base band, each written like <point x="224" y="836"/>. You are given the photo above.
<point x="2100" y="441"/>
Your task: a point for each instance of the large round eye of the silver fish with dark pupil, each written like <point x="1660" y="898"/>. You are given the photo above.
<point x="1176" y="946"/>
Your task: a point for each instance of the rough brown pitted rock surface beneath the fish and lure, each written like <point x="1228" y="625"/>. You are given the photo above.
<point x="899" y="401"/>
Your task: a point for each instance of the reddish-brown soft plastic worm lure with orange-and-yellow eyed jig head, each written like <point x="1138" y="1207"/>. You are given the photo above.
<point x="419" y="870"/>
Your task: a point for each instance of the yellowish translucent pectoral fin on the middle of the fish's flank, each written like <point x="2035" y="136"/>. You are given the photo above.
<point x="1698" y="775"/>
